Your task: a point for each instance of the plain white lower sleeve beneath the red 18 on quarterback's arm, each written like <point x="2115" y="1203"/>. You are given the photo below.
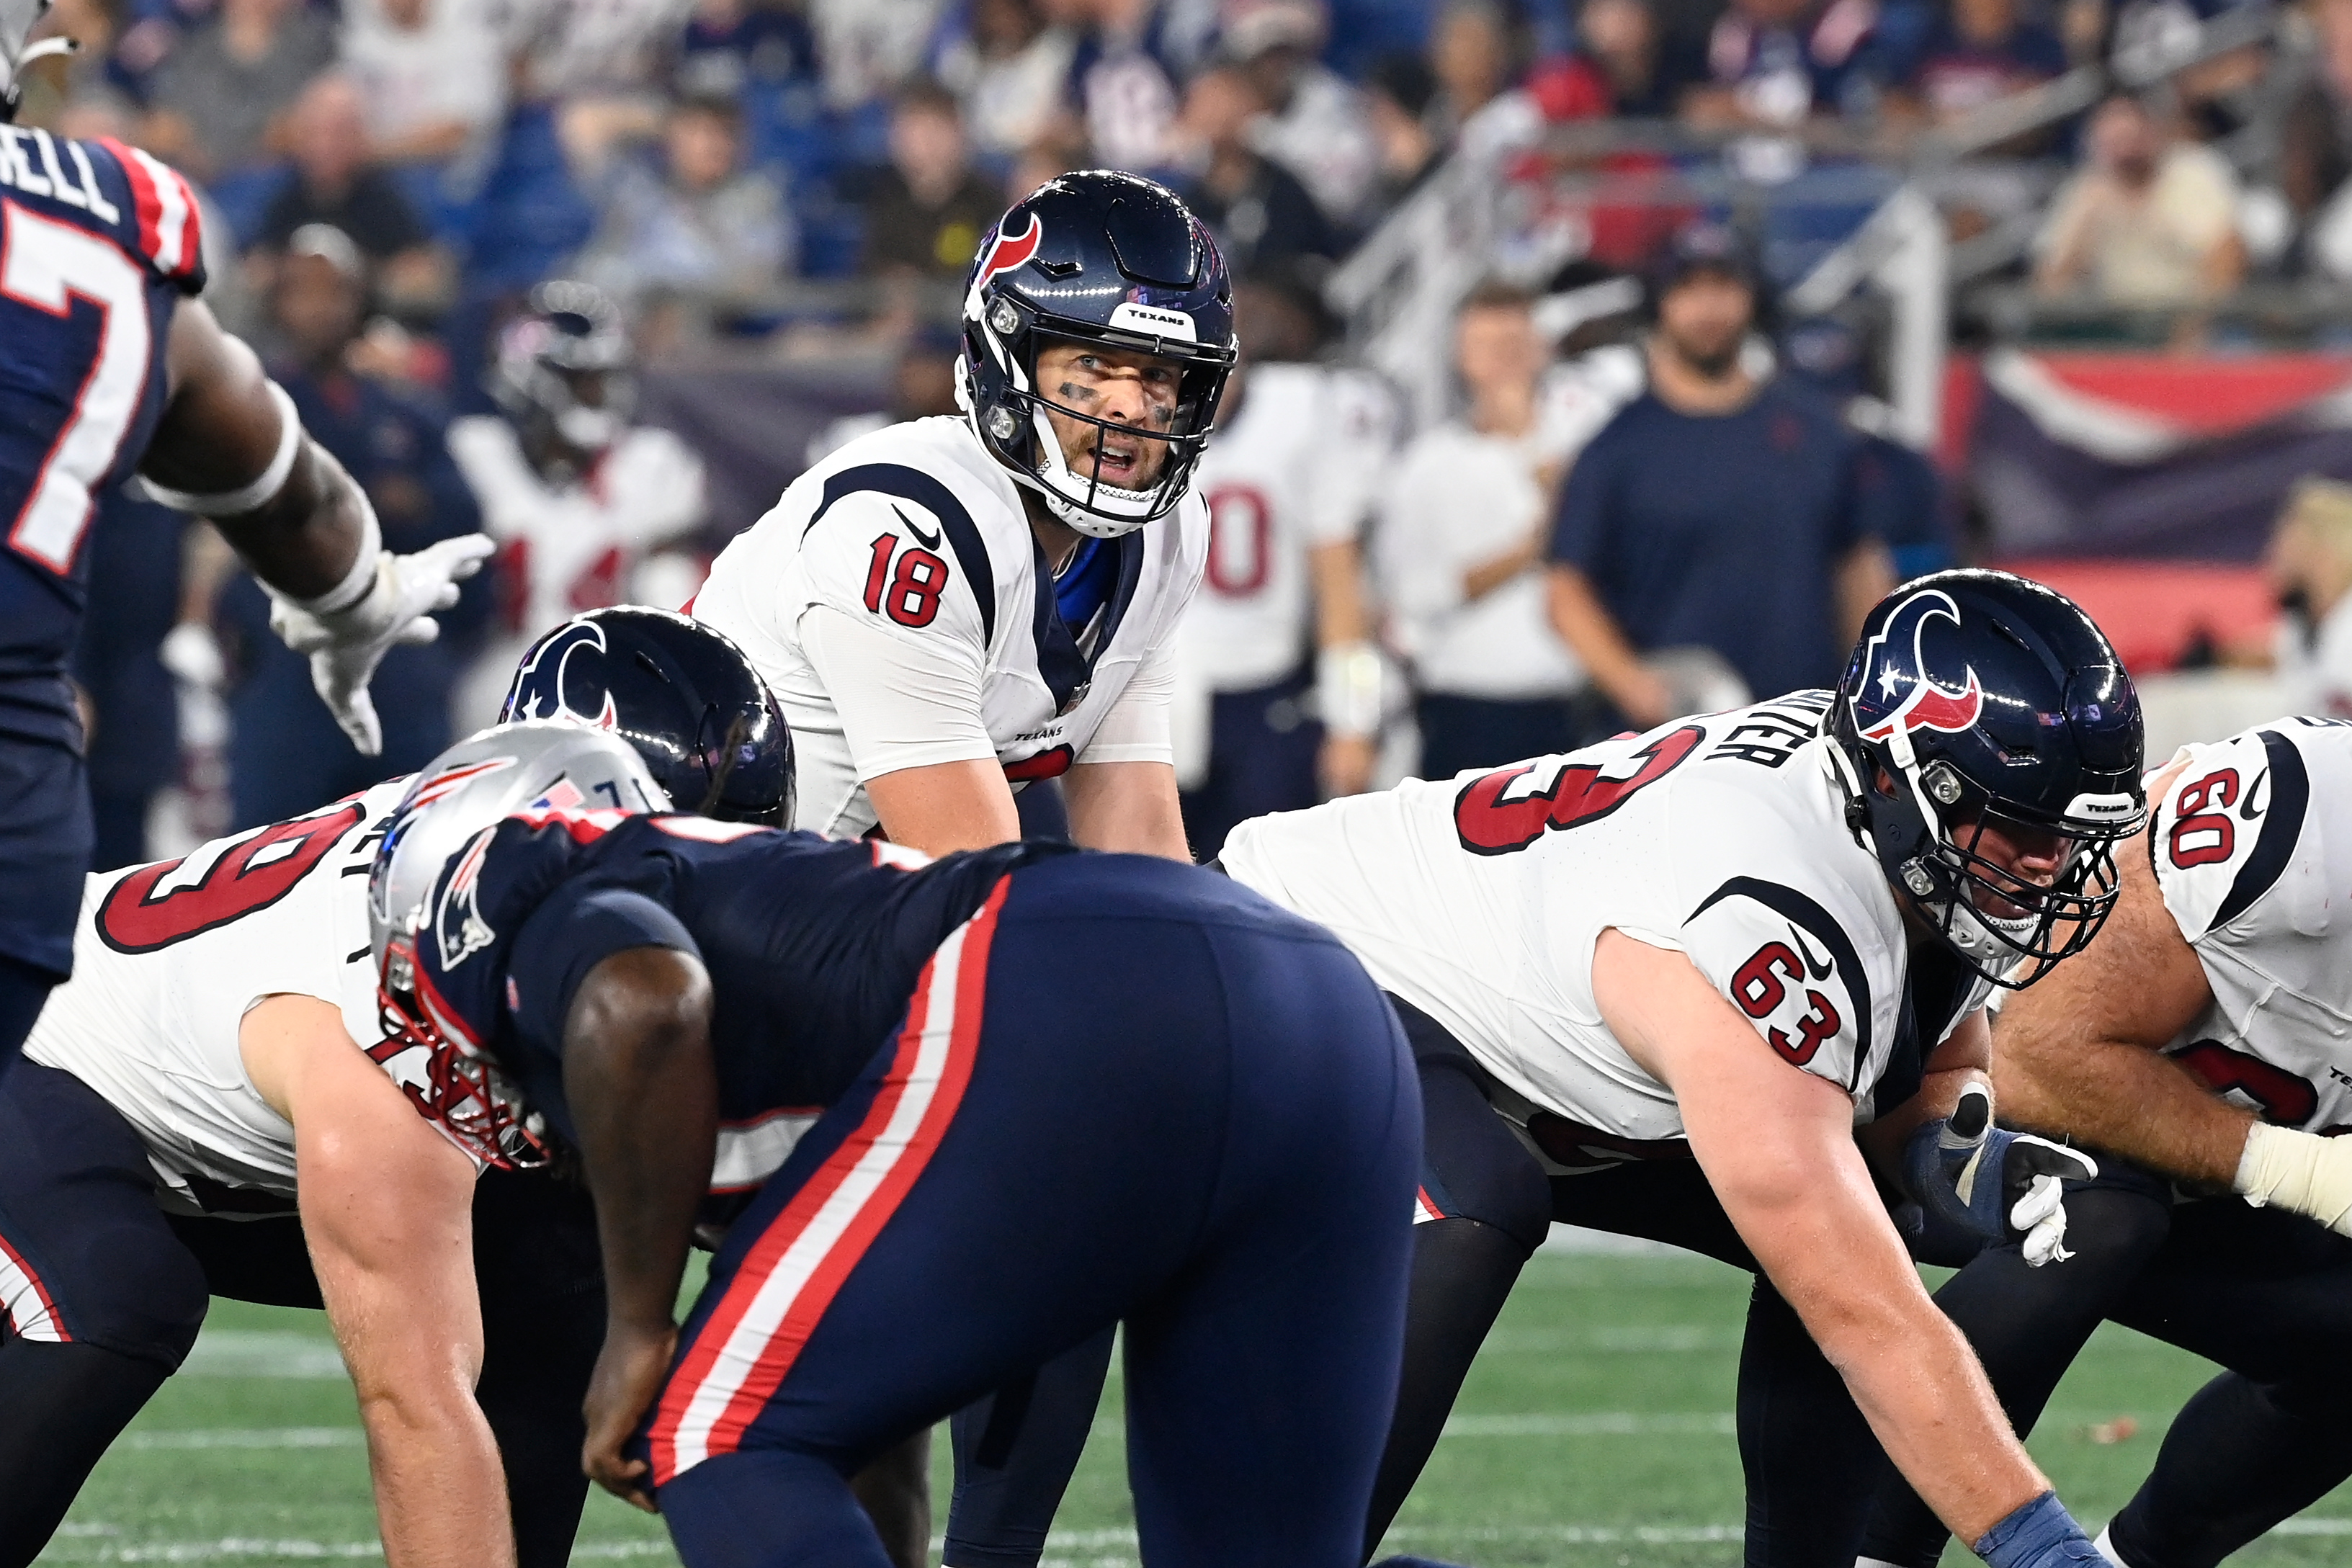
<point x="904" y="702"/>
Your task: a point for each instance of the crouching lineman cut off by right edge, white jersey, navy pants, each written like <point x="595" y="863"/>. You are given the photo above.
<point x="2203" y="1038"/>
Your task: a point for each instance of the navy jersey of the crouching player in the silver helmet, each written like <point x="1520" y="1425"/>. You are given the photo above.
<point x="813" y="951"/>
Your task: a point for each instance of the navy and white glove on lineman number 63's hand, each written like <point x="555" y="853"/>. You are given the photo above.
<point x="1972" y="1184"/>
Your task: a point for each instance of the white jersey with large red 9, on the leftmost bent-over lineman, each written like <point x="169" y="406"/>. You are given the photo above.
<point x="166" y="963"/>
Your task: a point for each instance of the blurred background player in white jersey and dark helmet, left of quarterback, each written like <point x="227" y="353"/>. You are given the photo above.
<point x="573" y="492"/>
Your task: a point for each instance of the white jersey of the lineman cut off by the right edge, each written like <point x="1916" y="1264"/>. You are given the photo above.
<point x="2254" y="850"/>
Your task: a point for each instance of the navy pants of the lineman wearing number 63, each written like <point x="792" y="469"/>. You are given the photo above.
<point x="1485" y="1205"/>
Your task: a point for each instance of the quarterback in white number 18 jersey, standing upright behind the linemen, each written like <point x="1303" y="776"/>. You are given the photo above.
<point x="954" y="610"/>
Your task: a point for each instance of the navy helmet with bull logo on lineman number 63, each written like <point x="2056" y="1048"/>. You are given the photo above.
<point x="1982" y="702"/>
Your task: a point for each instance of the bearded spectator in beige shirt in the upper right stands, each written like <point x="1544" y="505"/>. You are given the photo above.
<point x="2151" y="220"/>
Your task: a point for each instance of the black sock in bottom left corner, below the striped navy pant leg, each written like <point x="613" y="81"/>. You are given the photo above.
<point x="65" y="1407"/>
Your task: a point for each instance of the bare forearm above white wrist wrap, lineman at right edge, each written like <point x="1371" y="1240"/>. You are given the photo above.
<point x="2120" y="1099"/>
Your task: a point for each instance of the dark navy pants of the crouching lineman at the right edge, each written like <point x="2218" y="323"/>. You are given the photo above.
<point x="2264" y="1294"/>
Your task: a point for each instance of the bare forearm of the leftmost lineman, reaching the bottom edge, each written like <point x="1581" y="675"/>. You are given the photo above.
<point x="441" y="1489"/>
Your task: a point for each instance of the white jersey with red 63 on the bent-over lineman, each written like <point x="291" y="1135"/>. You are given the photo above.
<point x="1723" y="838"/>
